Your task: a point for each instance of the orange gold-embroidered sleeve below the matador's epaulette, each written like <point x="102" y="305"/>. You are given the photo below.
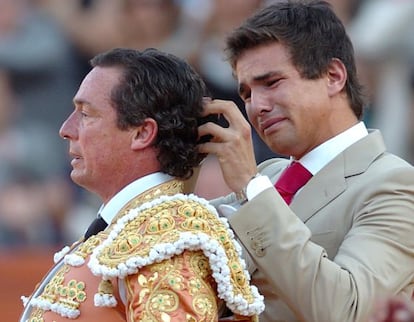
<point x="177" y="289"/>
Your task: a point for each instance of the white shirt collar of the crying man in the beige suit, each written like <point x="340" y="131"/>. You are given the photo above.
<point x="320" y="156"/>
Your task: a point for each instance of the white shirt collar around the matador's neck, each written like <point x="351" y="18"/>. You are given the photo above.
<point x="108" y="211"/>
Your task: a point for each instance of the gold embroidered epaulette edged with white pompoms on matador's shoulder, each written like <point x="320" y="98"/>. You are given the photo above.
<point x="165" y="227"/>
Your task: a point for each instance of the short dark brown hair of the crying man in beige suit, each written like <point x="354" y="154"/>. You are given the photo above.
<point x="313" y="34"/>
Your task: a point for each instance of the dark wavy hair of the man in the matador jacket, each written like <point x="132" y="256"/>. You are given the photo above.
<point x="165" y="88"/>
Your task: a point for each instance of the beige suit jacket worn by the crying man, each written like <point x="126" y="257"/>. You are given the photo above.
<point x="346" y="239"/>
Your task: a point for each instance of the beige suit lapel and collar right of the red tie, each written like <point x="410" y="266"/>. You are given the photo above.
<point x="331" y="181"/>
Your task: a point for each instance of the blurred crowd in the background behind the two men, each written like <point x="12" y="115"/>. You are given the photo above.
<point x="45" y="46"/>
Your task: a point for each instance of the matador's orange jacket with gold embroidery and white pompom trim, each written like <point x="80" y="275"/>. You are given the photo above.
<point x="166" y="256"/>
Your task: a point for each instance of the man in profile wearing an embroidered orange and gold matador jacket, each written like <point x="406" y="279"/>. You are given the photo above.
<point x="154" y="253"/>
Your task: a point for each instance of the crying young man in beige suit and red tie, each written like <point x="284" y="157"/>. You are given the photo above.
<point x="326" y="250"/>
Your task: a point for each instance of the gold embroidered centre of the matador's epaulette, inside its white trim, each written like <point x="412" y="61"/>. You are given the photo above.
<point x="162" y="224"/>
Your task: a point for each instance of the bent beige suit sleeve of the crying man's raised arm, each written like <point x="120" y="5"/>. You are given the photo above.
<point x="375" y="258"/>
